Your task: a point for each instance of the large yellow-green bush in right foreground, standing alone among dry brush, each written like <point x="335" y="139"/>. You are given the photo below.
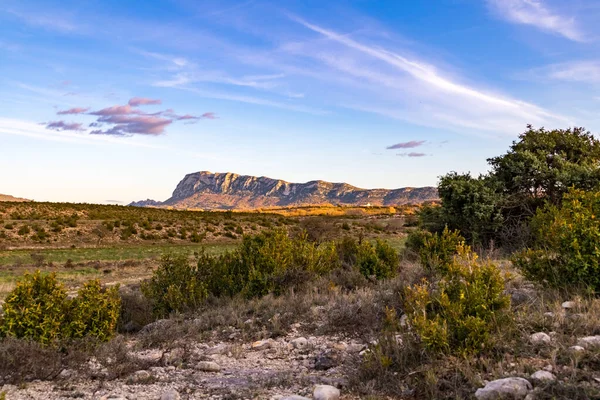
<point x="458" y="314"/>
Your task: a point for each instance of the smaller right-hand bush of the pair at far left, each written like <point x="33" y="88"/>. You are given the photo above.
<point x="94" y="312"/>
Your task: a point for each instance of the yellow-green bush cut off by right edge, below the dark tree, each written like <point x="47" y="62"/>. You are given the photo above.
<point x="566" y="243"/>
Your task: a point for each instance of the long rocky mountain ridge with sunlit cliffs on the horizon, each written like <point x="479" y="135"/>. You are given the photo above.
<point x="225" y="191"/>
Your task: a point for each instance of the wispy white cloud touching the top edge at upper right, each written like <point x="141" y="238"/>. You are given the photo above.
<point x="539" y="15"/>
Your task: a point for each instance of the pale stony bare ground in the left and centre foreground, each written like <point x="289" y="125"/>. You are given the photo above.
<point x="267" y="369"/>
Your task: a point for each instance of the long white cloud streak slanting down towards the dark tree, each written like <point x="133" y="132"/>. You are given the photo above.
<point x="403" y="87"/>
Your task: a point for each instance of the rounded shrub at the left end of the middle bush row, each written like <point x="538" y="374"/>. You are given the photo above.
<point x="175" y="286"/>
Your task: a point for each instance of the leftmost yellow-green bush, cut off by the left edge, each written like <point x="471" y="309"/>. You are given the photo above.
<point x="35" y="309"/>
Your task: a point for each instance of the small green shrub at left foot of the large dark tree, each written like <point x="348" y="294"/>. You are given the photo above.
<point x="438" y="250"/>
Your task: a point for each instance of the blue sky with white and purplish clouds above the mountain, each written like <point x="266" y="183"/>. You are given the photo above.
<point x="107" y="101"/>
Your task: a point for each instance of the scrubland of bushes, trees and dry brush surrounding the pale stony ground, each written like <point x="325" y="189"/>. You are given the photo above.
<point x="499" y="280"/>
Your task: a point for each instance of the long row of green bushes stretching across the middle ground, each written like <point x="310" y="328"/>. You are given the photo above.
<point x="268" y="262"/>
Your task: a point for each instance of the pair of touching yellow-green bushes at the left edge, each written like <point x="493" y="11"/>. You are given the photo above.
<point x="38" y="309"/>
